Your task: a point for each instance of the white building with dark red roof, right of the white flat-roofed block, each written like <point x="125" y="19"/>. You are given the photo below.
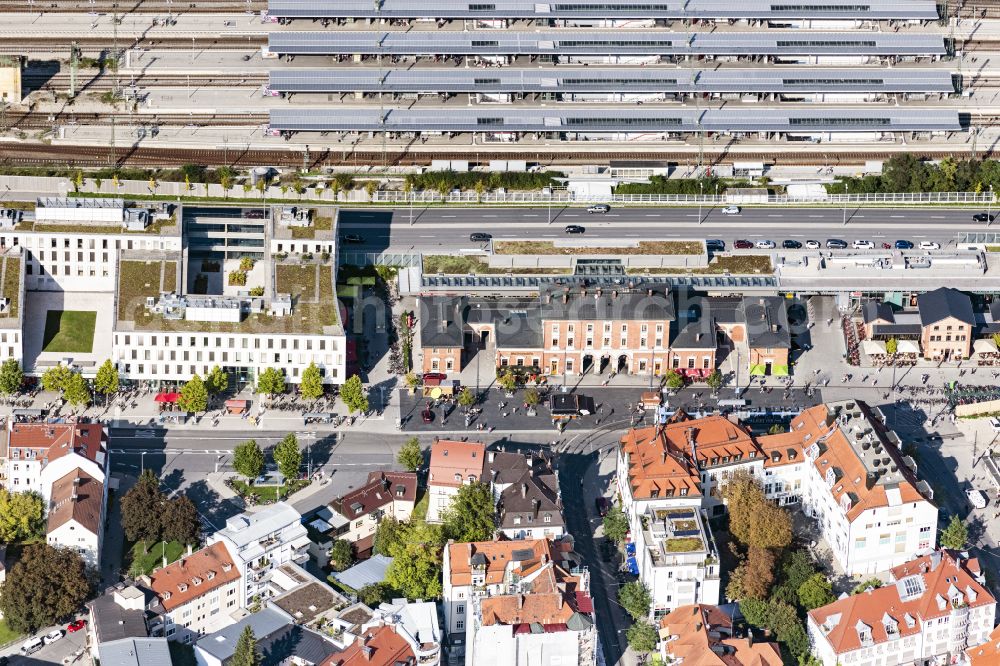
<point x="356" y="515"/>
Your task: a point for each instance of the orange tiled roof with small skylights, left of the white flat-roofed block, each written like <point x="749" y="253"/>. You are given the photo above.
<point x="176" y="583"/>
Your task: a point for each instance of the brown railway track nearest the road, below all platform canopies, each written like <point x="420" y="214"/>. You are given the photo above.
<point x="95" y="156"/>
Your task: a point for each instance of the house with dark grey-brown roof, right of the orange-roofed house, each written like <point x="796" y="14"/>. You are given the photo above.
<point x="526" y="487"/>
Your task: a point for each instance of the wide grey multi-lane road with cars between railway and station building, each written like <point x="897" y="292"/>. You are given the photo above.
<point x="428" y="229"/>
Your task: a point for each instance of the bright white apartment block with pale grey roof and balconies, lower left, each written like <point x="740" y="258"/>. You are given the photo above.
<point x="261" y="541"/>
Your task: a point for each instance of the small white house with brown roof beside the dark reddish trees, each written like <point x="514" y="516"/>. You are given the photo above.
<point x="76" y="514"/>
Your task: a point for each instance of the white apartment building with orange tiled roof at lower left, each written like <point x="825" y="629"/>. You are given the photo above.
<point x="199" y="593"/>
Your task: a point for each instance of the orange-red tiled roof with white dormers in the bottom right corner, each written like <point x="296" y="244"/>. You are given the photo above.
<point x="951" y="576"/>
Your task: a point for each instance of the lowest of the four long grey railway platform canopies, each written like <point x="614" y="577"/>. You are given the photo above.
<point x="615" y="119"/>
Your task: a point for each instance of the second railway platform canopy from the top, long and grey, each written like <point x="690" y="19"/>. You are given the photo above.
<point x="606" y="42"/>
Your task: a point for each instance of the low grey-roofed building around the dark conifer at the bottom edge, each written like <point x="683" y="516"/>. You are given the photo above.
<point x="279" y="638"/>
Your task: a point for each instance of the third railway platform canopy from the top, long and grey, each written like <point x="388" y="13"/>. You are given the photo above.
<point x="625" y="79"/>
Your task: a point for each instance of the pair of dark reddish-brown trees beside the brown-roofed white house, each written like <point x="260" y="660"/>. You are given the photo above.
<point x="149" y="516"/>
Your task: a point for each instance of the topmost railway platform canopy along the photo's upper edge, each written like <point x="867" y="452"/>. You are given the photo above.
<point x="926" y="10"/>
